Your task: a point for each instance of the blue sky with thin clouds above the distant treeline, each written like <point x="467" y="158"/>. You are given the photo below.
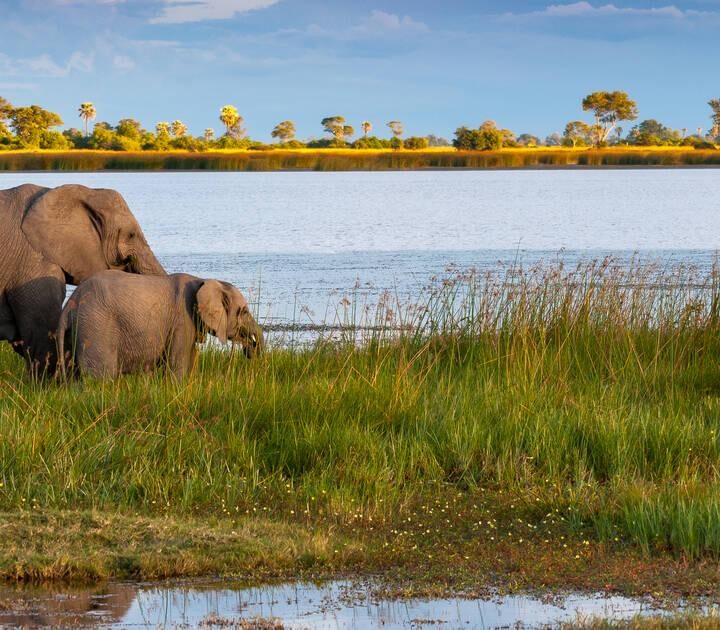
<point x="434" y="65"/>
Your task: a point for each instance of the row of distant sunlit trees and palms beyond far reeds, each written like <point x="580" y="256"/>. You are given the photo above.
<point x="35" y="128"/>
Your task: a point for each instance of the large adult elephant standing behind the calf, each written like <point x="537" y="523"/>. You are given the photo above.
<point x="50" y="236"/>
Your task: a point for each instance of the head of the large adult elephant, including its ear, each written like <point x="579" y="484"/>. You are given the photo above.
<point x="85" y="230"/>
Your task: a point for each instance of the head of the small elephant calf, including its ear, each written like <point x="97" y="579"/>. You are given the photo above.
<point x="224" y="311"/>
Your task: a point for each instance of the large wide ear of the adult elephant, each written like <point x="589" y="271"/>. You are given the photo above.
<point x="65" y="225"/>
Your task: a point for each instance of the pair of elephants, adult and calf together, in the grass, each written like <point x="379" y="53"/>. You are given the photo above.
<point x="126" y="314"/>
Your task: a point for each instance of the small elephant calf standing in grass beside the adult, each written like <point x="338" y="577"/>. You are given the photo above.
<point x="118" y="323"/>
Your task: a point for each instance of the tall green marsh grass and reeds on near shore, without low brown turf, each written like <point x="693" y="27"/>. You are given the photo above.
<point x="592" y="393"/>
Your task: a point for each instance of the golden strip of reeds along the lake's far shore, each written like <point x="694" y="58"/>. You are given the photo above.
<point x="352" y="159"/>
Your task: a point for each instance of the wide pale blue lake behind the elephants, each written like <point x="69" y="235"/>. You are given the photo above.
<point x="298" y="243"/>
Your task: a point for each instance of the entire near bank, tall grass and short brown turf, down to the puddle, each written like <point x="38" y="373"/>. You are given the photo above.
<point x="568" y="418"/>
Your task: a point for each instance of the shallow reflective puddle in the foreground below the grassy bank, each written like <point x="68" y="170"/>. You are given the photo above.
<point x="339" y="604"/>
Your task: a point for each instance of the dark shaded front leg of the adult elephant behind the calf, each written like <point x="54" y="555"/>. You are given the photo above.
<point x="36" y="306"/>
